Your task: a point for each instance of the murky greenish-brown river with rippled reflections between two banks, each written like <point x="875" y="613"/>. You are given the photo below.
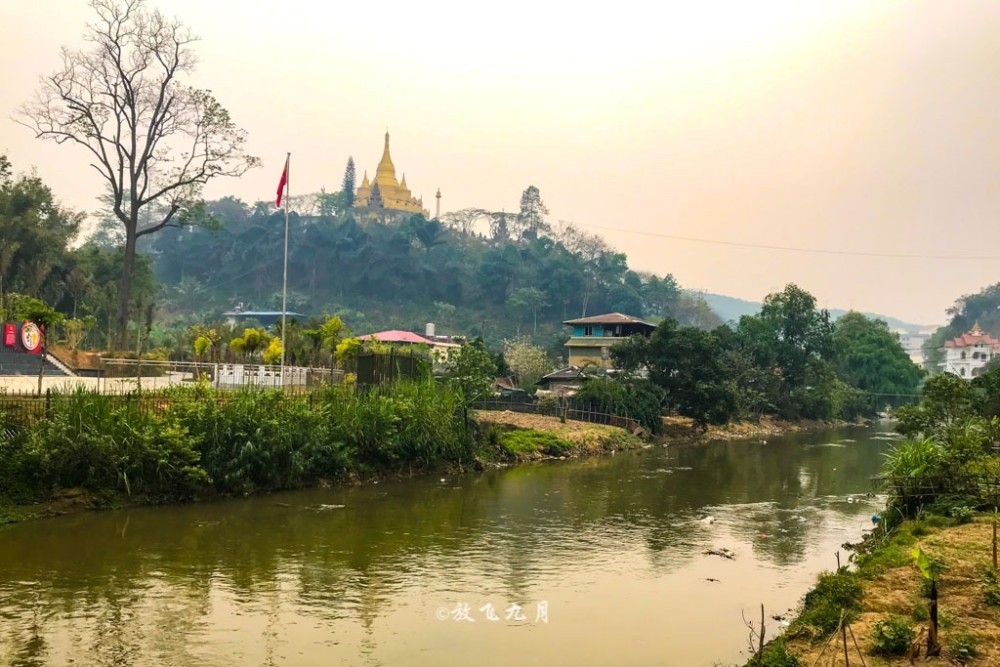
<point x="590" y="562"/>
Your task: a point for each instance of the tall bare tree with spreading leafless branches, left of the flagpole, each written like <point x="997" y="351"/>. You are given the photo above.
<point x="154" y="140"/>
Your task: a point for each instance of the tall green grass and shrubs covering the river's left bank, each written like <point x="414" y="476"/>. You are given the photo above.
<point x="94" y="450"/>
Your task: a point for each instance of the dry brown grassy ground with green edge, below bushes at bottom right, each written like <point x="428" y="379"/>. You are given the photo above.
<point x="888" y="605"/>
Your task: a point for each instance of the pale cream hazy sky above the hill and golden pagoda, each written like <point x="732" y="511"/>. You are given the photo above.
<point x="854" y="127"/>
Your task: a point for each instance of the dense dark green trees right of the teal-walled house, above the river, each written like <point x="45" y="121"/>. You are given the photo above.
<point x="790" y="360"/>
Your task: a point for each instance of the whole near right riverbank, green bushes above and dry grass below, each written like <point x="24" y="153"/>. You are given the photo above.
<point x="925" y="578"/>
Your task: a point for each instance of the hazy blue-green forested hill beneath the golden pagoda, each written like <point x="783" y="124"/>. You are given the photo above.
<point x="499" y="278"/>
